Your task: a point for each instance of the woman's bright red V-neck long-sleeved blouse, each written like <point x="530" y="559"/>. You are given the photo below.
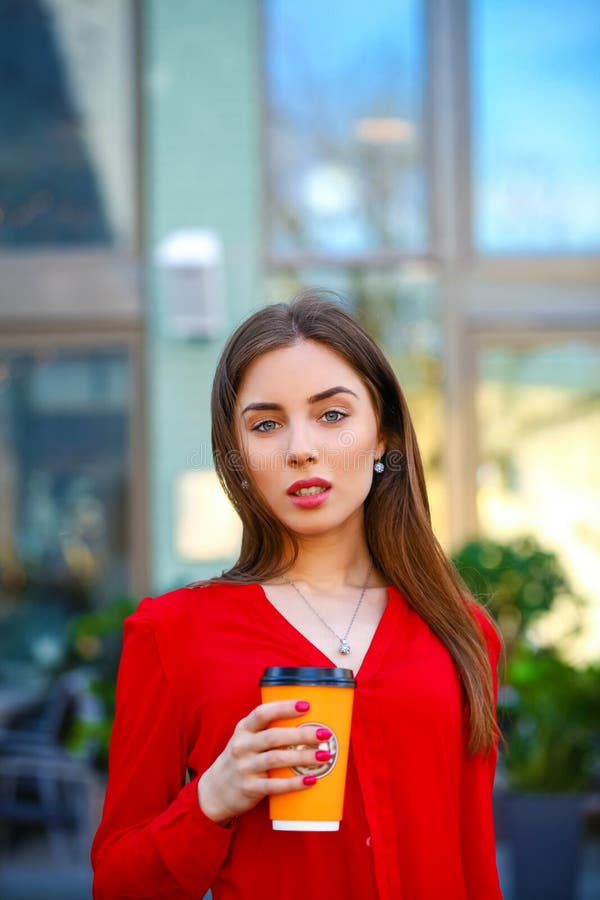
<point x="417" y="819"/>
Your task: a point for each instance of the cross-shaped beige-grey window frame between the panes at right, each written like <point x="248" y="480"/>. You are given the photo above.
<point x="518" y="296"/>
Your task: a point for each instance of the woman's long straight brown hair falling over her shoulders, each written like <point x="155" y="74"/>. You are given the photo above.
<point x="397" y="518"/>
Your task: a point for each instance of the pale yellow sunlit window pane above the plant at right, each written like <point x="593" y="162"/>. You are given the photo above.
<point x="539" y="472"/>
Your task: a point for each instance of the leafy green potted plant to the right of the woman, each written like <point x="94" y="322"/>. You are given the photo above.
<point x="549" y="710"/>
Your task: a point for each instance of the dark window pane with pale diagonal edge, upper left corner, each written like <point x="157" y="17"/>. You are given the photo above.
<point x="66" y="112"/>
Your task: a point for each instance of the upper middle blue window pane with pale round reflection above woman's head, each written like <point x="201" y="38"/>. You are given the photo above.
<point x="345" y="126"/>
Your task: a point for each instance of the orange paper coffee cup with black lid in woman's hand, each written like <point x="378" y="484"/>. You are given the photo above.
<point x="330" y="692"/>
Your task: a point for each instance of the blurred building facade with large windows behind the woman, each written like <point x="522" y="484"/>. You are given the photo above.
<point x="435" y="162"/>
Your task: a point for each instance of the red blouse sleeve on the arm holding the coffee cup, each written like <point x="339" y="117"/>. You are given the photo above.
<point x="154" y="840"/>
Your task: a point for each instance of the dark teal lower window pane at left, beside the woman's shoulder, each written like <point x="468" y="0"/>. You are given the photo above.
<point x="64" y="495"/>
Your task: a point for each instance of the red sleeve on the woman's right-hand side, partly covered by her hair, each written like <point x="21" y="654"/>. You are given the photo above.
<point x="477" y="821"/>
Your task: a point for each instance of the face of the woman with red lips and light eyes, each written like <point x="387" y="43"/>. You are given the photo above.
<point x="309" y="436"/>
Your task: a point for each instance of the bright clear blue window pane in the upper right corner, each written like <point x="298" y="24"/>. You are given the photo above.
<point x="536" y="127"/>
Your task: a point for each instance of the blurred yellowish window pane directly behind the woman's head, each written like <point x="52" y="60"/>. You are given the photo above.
<point x="399" y="307"/>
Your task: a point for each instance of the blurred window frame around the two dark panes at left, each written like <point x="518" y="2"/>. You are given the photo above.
<point x="56" y="297"/>
